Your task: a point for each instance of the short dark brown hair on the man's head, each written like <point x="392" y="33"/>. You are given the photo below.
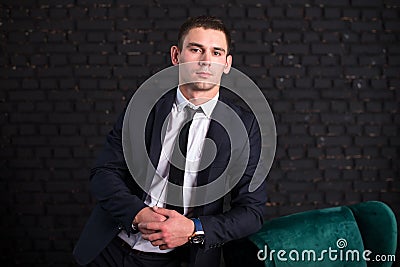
<point x="206" y="22"/>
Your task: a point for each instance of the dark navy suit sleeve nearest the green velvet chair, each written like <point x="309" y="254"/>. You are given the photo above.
<point x="247" y="208"/>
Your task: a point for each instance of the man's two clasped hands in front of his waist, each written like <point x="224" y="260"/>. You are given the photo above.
<point x="163" y="227"/>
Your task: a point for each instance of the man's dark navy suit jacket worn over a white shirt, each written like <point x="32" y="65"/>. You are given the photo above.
<point x="120" y="198"/>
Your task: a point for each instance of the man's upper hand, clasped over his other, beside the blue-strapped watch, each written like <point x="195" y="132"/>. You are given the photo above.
<point x="171" y="233"/>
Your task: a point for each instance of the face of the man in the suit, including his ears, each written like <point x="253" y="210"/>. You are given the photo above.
<point x="203" y="58"/>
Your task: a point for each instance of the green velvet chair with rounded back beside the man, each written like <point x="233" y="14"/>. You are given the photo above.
<point x="343" y="230"/>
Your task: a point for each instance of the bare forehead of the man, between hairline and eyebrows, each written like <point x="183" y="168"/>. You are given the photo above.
<point x="206" y="37"/>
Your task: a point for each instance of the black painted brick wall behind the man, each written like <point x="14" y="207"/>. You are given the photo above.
<point x="330" y="71"/>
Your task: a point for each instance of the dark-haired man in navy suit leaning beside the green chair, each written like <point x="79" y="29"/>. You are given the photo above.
<point x="135" y="227"/>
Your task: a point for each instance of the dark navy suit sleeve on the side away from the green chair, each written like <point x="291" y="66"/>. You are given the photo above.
<point x="111" y="183"/>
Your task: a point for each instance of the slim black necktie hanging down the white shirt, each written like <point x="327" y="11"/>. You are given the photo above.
<point x="178" y="159"/>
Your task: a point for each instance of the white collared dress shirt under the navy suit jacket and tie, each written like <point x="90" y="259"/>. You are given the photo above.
<point x="197" y="133"/>
